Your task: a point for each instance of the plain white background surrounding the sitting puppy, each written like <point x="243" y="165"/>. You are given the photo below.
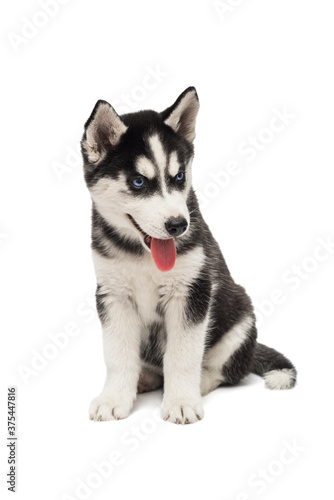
<point x="259" y="56"/>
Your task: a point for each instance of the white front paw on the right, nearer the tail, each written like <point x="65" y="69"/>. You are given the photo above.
<point x="182" y="411"/>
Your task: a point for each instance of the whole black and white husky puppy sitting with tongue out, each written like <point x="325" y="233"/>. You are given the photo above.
<point x="171" y="314"/>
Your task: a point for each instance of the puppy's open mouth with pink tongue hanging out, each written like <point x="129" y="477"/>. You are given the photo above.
<point x="163" y="251"/>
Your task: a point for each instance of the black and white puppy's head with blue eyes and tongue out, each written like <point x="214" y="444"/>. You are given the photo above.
<point x="138" y="170"/>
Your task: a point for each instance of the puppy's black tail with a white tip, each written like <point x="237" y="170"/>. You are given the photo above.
<point x="278" y="372"/>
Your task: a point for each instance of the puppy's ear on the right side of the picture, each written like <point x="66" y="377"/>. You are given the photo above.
<point x="181" y="117"/>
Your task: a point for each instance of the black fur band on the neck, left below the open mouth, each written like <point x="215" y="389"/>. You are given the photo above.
<point x="112" y="236"/>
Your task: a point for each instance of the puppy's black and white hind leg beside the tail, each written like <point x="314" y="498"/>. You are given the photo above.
<point x="229" y="361"/>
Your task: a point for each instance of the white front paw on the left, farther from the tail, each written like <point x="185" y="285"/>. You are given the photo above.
<point x="106" y="407"/>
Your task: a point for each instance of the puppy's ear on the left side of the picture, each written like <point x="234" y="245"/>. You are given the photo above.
<point x="103" y="131"/>
